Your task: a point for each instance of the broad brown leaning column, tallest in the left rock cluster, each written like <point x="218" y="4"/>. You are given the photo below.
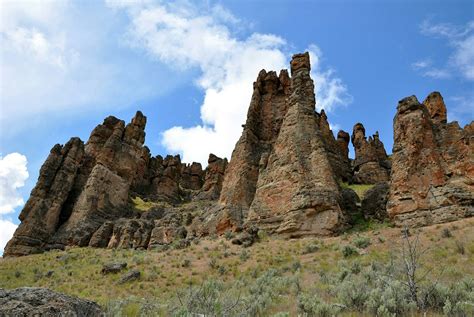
<point x="119" y="162"/>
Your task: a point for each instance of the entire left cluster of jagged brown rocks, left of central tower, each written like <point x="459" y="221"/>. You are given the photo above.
<point x="83" y="194"/>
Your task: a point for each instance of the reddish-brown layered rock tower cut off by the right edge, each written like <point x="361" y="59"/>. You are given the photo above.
<point x="432" y="178"/>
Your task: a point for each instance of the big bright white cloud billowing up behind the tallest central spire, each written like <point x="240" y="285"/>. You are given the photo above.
<point x="203" y="37"/>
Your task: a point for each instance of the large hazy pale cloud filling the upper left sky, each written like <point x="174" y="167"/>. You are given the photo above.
<point x="59" y="63"/>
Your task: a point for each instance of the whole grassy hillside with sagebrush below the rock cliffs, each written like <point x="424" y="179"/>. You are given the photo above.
<point x="274" y="275"/>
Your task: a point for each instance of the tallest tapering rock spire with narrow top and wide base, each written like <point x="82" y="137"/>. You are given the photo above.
<point x="297" y="193"/>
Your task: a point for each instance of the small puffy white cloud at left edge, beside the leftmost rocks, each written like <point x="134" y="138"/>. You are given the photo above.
<point x="13" y="174"/>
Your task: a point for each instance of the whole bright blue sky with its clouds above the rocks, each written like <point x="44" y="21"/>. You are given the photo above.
<point x="189" y="66"/>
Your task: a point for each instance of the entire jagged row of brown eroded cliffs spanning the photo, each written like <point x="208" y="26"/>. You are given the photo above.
<point x="284" y="177"/>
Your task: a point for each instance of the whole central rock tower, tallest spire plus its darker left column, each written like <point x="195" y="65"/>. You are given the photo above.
<point x="280" y="176"/>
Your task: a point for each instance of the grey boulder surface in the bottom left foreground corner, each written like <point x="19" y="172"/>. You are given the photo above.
<point x="34" y="301"/>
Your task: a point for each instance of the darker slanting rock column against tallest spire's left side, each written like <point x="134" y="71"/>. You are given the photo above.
<point x="264" y="118"/>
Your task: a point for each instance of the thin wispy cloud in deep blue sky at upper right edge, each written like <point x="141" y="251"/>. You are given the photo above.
<point x="461" y="41"/>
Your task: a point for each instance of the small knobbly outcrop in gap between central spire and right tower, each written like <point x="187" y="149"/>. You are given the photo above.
<point x="371" y="164"/>
